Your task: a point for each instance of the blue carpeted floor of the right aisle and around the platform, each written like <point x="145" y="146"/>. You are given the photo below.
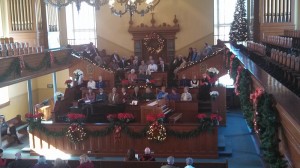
<point x="238" y="139"/>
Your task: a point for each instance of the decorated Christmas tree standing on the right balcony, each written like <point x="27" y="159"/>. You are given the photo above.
<point x="239" y="27"/>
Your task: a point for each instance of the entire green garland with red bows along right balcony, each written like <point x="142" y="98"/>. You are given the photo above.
<point x="263" y="120"/>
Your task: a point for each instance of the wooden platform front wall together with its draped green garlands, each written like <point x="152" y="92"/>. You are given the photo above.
<point x="102" y="140"/>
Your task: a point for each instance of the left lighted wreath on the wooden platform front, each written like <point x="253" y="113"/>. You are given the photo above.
<point x="76" y="133"/>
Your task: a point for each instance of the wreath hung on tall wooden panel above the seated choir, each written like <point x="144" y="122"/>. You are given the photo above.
<point x="154" y="43"/>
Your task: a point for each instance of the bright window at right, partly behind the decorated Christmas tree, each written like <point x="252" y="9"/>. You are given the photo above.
<point x="223" y="17"/>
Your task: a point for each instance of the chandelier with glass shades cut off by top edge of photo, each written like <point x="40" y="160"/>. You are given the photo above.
<point x="141" y="7"/>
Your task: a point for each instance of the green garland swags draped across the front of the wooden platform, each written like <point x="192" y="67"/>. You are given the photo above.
<point x="125" y="129"/>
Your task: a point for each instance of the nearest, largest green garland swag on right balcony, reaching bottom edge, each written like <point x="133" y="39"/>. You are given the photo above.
<point x="269" y="124"/>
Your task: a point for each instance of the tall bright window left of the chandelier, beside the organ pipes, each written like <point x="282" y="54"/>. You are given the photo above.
<point x="81" y="24"/>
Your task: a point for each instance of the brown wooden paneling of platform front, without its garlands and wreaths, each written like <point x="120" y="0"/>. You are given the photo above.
<point x="202" y="146"/>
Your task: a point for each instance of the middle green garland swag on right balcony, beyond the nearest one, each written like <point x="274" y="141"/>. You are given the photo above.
<point x="245" y="90"/>
